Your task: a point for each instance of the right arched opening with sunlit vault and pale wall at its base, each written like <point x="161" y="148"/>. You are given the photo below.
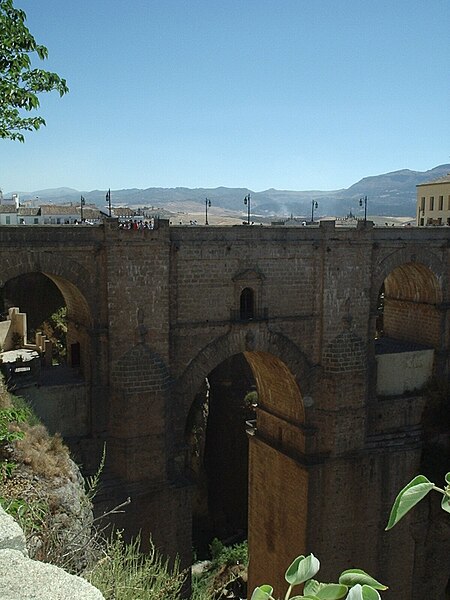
<point x="408" y="329"/>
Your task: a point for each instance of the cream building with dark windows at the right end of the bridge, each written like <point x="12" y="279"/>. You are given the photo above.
<point x="433" y="202"/>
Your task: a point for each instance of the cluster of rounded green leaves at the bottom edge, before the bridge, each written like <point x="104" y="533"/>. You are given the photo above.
<point x="354" y="584"/>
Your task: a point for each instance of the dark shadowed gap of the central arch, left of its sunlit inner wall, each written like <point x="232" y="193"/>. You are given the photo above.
<point x="218" y="445"/>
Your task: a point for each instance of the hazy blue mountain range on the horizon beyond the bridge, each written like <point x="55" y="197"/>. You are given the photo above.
<point x="390" y="194"/>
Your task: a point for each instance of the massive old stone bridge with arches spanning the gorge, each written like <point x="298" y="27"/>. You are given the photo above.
<point x="153" y="313"/>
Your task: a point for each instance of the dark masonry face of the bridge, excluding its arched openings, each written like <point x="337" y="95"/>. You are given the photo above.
<point x="160" y="310"/>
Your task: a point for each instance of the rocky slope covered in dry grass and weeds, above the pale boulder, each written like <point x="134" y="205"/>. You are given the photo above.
<point x="42" y="488"/>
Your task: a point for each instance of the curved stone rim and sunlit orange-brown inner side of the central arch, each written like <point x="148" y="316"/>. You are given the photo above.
<point x="278" y="476"/>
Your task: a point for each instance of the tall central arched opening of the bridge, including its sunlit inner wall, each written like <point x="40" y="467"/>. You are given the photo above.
<point x="245" y="432"/>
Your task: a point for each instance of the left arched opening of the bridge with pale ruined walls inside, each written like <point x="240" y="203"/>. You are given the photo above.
<point x="46" y="317"/>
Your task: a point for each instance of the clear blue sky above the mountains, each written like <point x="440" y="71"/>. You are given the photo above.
<point x="290" y="94"/>
